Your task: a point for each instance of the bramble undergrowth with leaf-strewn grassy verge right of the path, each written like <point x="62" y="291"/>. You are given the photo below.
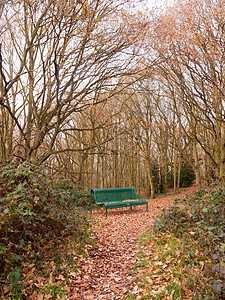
<point x="183" y="255"/>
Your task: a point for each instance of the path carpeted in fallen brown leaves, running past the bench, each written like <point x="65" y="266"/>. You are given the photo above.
<point x="107" y="272"/>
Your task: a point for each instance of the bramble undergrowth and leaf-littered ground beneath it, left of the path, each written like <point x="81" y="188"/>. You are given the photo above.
<point x="43" y="230"/>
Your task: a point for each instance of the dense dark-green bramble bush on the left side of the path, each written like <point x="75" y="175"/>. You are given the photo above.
<point x="34" y="213"/>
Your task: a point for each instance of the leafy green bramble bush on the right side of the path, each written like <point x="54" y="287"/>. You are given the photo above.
<point x="199" y="222"/>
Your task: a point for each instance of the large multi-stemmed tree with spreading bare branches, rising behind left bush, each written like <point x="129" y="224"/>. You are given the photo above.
<point x="64" y="54"/>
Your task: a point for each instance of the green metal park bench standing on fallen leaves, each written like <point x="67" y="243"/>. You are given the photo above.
<point x="116" y="197"/>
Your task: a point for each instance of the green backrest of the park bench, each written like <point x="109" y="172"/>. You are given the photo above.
<point x="114" y="195"/>
